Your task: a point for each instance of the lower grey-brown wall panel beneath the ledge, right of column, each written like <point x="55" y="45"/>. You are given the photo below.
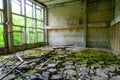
<point x="98" y="37"/>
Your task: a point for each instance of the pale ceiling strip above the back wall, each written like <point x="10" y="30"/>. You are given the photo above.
<point x="55" y="3"/>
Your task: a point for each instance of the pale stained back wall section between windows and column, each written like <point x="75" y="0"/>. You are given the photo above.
<point x="65" y="25"/>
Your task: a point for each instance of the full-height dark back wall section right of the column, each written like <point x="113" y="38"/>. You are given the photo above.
<point x="99" y="12"/>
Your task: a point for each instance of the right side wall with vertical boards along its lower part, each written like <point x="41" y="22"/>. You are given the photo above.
<point x="115" y="28"/>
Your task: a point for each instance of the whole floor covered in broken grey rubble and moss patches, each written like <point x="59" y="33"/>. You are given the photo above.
<point x="61" y="63"/>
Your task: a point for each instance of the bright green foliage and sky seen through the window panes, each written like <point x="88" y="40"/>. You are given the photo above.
<point x="19" y="20"/>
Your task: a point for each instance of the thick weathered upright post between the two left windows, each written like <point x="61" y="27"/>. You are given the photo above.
<point x="8" y="25"/>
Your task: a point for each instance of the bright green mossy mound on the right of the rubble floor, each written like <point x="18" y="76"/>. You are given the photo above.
<point x="94" y="56"/>
